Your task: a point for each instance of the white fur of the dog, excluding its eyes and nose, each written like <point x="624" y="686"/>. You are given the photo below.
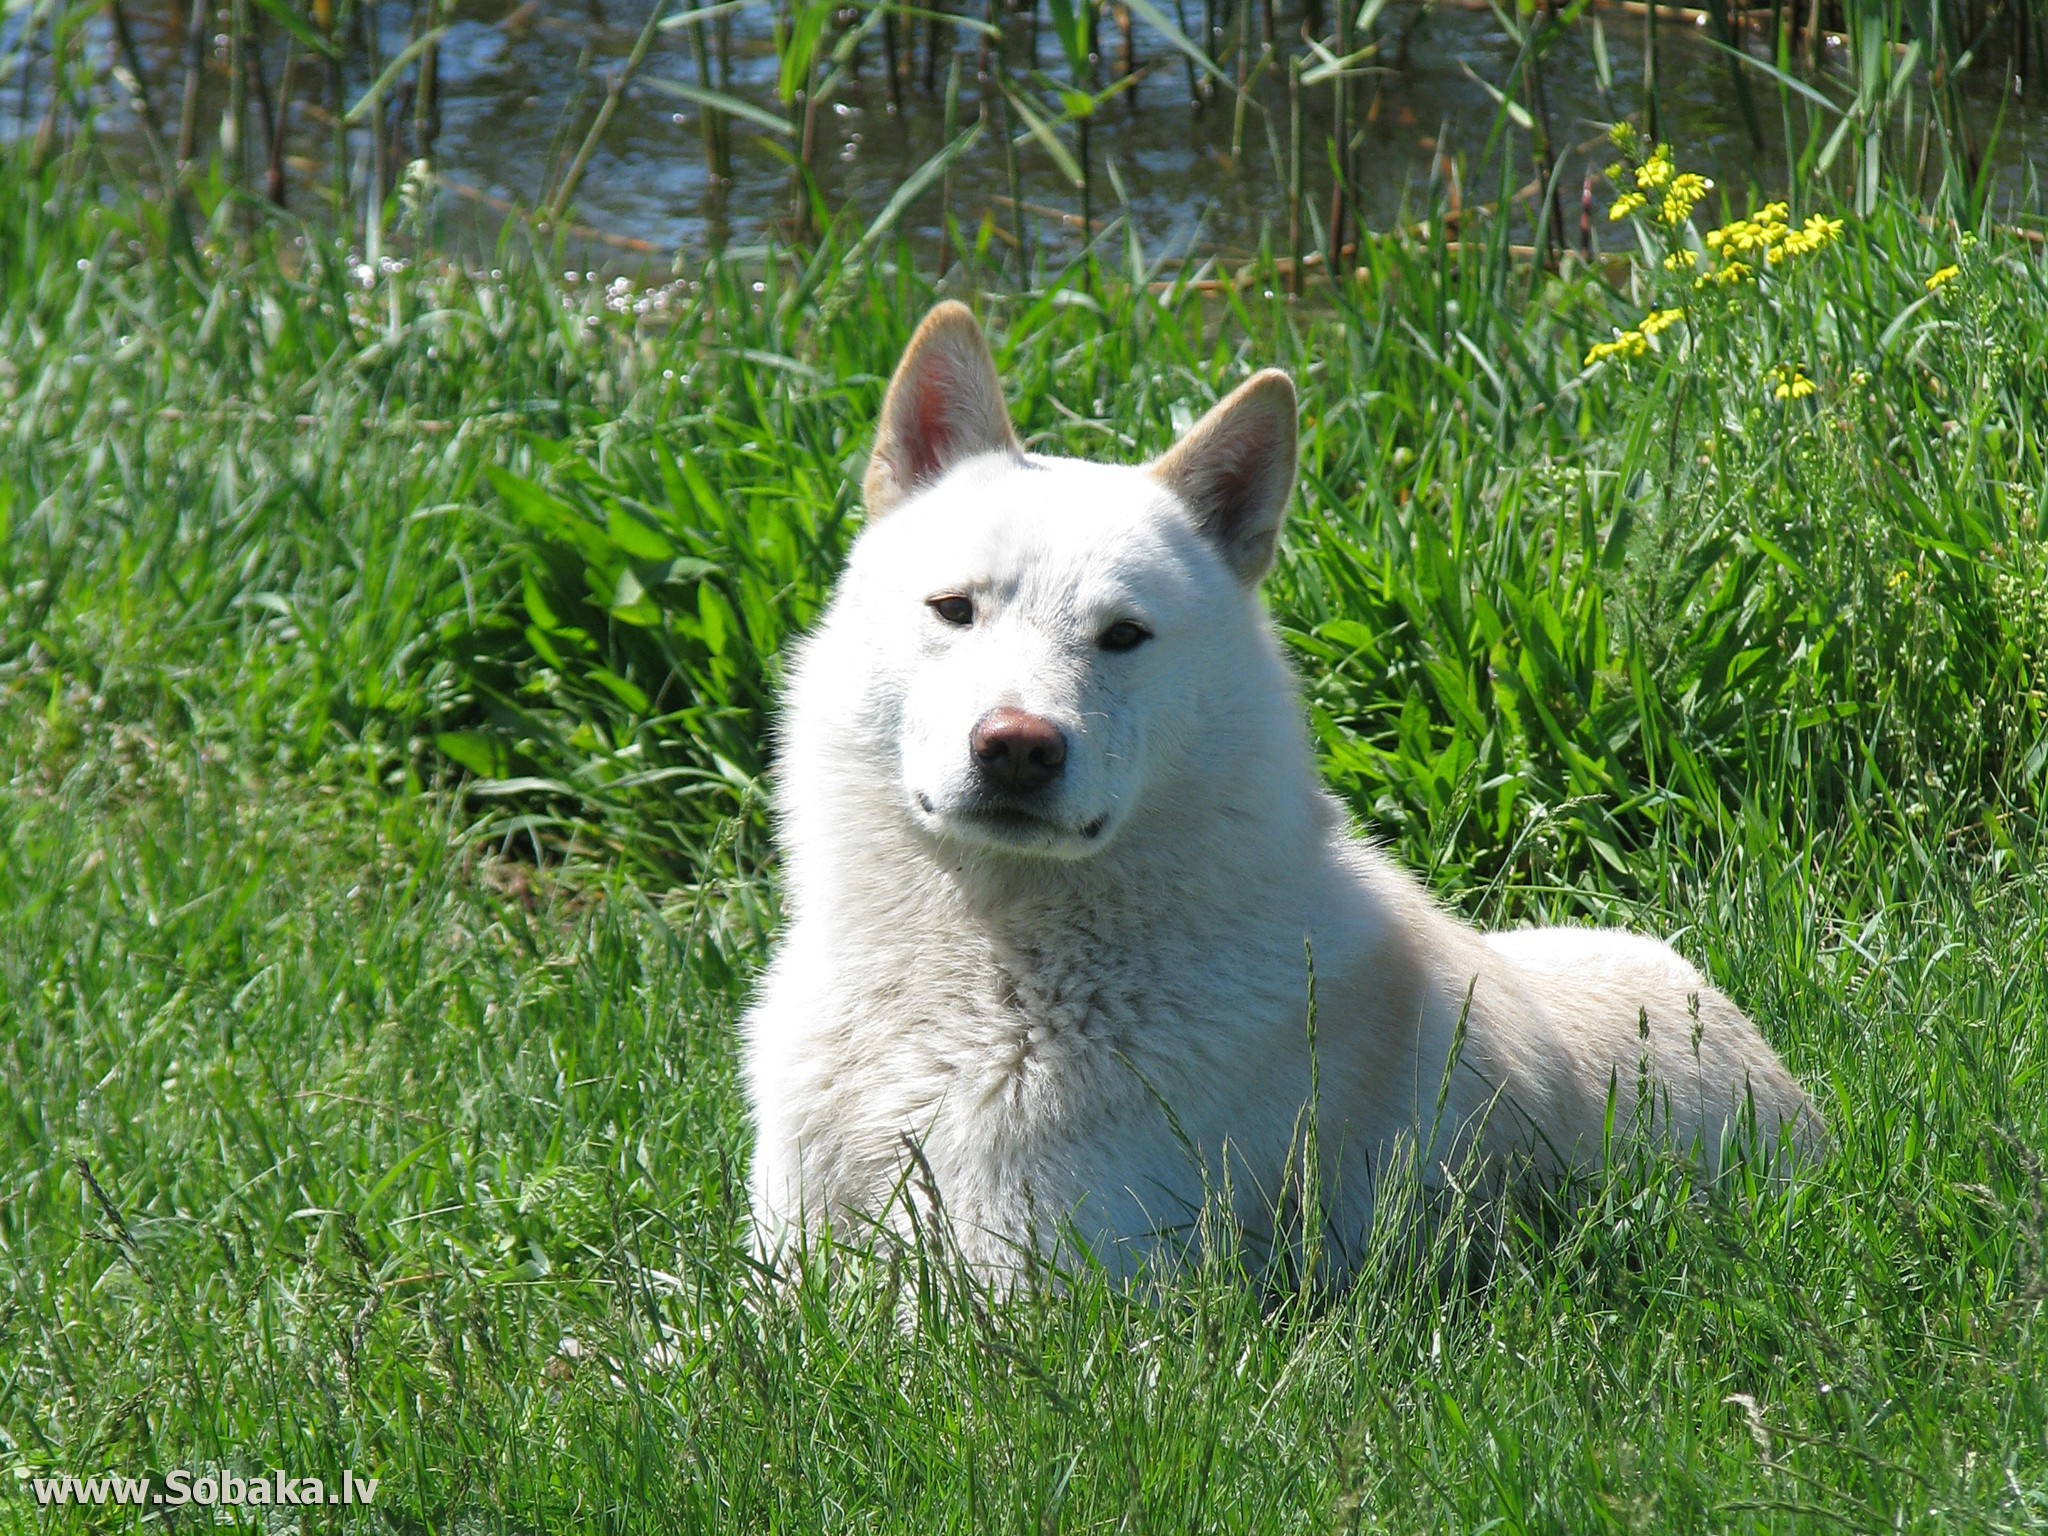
<point x="1091" y="1023"/>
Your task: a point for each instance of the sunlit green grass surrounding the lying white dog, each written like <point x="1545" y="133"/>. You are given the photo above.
<point x="382" y="876"/>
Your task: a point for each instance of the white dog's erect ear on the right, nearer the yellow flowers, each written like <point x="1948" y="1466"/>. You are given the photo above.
<point x="1236" y="472"/>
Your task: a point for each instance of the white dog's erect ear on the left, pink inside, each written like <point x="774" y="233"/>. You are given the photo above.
<point x="945" y="404"/>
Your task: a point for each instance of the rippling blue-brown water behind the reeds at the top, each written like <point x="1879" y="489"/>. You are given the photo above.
<point x="1193" y="183"/>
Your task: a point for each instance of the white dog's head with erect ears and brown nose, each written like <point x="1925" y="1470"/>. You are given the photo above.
<point x="1058" y="642"/>
